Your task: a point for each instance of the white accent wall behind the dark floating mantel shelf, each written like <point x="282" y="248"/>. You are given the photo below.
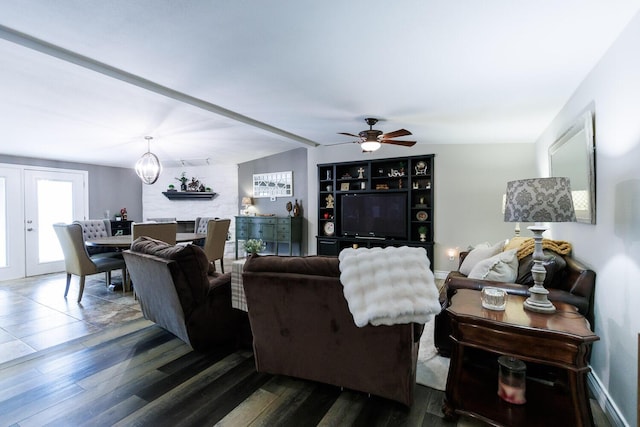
<point x="222" y="178"/>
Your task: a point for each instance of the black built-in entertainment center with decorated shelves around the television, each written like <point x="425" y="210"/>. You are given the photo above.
<point x="411" y="176"/>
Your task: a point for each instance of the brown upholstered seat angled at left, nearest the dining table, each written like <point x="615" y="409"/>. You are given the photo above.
<point x="179" y="291"/>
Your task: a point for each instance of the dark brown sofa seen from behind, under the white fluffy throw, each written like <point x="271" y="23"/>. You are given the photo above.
<point x="302" y="327"/>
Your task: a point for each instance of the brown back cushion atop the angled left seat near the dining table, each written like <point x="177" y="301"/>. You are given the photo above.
<point x="189" y="271"/>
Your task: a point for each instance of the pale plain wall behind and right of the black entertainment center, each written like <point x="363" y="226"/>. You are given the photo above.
<point x="469" y="182"/>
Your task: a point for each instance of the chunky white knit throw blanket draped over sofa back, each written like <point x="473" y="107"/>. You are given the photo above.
<point x="387" y="286"/>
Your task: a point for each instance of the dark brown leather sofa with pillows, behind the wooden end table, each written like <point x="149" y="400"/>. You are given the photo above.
<point x="567" y="280"/>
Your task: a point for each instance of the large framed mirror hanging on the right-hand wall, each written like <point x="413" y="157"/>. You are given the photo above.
<point x="573" y="156"/>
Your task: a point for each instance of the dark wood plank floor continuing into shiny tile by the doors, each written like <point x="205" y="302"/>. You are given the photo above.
<point x="120" y="369"/>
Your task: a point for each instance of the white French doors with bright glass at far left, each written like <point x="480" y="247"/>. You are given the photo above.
<point x="33" y="201"/>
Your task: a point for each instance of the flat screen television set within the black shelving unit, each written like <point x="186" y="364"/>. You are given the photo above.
<point x="378" y="215"/>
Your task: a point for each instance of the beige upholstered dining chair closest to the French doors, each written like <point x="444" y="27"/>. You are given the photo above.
<point x="78" y="261"/>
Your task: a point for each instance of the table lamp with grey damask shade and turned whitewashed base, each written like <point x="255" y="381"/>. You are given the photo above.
<point x="539" y="200"/>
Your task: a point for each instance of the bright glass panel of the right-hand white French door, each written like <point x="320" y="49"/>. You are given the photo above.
<point x="55" y="202"/>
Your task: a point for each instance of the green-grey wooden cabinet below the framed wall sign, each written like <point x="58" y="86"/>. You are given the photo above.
<point x="274" y="231"/>
